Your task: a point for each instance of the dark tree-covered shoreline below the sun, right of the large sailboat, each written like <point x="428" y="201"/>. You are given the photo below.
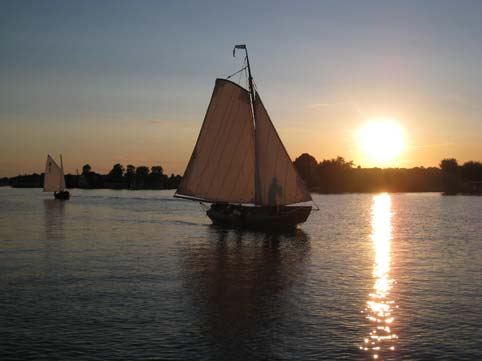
<point x="340" y="176"/>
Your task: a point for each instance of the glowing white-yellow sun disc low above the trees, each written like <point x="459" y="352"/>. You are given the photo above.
<point x="381" y="141"/>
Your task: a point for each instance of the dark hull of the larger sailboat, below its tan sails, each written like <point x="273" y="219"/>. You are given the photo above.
<point x="283" y="217"/>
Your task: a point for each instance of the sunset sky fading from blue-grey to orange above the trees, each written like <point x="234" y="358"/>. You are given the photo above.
<point x="106" y="82"/>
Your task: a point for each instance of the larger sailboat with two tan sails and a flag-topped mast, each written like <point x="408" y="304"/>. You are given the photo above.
<point x="240" y="165"/>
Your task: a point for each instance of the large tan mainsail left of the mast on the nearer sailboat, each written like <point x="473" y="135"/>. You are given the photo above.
<point x="221" y="168"/>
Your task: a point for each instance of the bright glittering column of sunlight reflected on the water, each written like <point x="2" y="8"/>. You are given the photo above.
<point x="380" y="307"/>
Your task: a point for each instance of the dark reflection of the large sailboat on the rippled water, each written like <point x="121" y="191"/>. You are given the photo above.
<point x="242" y="289"/>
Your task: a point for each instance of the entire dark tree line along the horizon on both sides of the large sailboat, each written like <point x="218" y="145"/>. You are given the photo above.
<point x="327" y="176"/>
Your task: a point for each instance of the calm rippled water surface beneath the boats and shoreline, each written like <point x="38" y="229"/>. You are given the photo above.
<point x="139" y="275"/>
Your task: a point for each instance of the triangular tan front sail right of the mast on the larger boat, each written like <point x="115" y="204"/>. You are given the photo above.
<point x="277" y="181"/>
